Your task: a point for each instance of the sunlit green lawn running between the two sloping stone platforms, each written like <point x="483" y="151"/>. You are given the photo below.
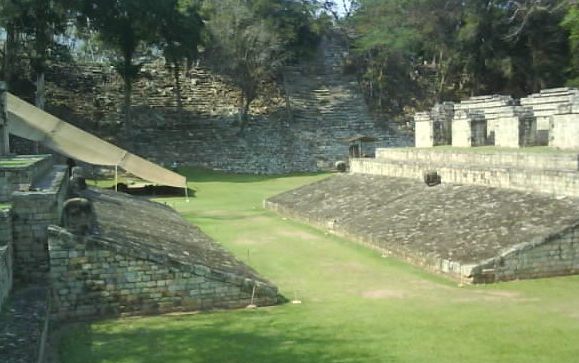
<point x="357" y="306"/>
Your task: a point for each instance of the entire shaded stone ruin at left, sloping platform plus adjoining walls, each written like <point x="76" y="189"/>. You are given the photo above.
<point x="72" y="252"/>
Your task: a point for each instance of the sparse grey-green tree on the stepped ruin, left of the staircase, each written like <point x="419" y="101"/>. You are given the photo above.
<point x="245" y="48"/>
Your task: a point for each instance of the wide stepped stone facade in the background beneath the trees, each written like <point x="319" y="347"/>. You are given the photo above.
<point x="300" y="125"/>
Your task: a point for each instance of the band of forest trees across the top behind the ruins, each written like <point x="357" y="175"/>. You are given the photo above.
<point x="406" y="54"/>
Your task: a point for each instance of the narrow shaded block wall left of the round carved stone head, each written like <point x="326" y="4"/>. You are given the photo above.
<point x="32" y="213"/>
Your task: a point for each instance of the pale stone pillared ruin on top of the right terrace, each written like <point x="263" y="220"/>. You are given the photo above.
<point x="550" y="117"/>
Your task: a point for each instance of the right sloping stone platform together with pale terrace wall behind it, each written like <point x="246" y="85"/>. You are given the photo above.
<point x="476" y="217"/>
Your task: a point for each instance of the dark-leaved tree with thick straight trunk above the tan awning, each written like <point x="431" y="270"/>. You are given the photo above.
<point x="124" y="25"/>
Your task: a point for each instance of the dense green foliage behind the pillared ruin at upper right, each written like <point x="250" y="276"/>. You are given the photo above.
<point x="429" y="50"/>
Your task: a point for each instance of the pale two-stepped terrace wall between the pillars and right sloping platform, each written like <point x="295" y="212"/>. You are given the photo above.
<point x="549" y="172"/>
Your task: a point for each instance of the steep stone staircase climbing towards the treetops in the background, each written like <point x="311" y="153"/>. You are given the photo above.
<point x="328" y="103"/>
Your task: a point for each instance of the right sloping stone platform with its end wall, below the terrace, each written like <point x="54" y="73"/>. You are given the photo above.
<point x="471" y="233"/>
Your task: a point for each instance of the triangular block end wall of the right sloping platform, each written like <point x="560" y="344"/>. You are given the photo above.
<point x="556" y="255"/>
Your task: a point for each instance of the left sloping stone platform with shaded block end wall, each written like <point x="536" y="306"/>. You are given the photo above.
<point x="143" y="258"/>
